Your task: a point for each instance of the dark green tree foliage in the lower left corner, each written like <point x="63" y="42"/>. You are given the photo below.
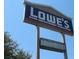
<point x="11" y="50"/>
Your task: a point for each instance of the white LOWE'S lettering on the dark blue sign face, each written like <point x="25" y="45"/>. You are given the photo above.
<point x="49" y="18"/>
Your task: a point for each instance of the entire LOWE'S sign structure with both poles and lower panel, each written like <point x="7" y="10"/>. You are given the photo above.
<point x="47" y="17"/>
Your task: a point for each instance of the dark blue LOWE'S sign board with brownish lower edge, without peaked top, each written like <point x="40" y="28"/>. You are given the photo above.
<point x="48" y="20"/>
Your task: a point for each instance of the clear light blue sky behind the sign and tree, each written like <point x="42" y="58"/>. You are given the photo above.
<point x="25" y="34"/>
